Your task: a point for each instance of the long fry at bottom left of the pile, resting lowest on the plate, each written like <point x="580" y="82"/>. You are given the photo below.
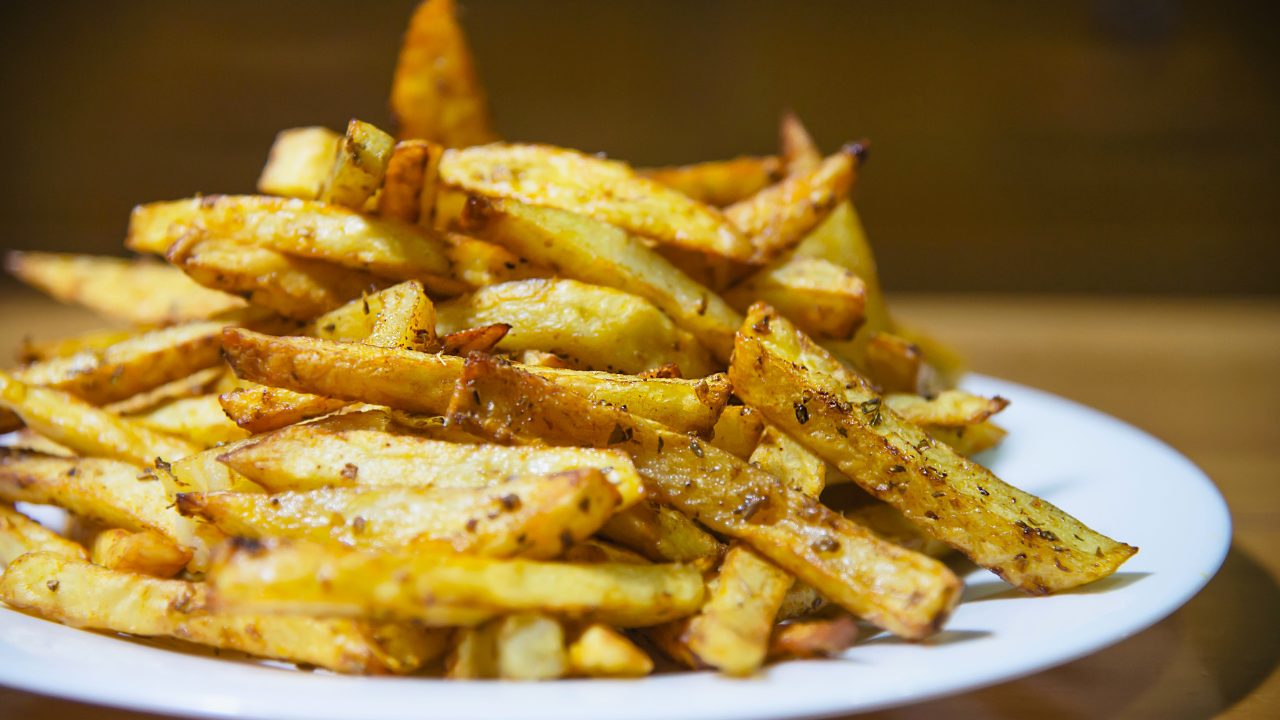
<point x="81" y="595"/>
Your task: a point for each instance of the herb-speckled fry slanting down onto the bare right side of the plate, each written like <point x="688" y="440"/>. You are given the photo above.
<point x="806" y="391"/>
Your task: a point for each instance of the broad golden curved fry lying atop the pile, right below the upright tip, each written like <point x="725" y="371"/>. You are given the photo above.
<point x="607" y="190"/>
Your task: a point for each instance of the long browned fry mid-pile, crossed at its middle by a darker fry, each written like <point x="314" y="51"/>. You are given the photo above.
<point x="424" y="384"/>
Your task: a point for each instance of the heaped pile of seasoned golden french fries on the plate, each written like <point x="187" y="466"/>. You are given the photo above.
<point x="447" y="405"/>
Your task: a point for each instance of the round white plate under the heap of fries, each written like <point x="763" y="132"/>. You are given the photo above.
<point x="1113" y="477"/>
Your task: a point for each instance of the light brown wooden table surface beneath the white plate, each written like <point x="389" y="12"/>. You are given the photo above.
<point x="1201" y="375"/>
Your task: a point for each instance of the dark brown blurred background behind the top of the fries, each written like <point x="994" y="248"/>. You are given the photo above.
<point x="1107" y="147"/>
